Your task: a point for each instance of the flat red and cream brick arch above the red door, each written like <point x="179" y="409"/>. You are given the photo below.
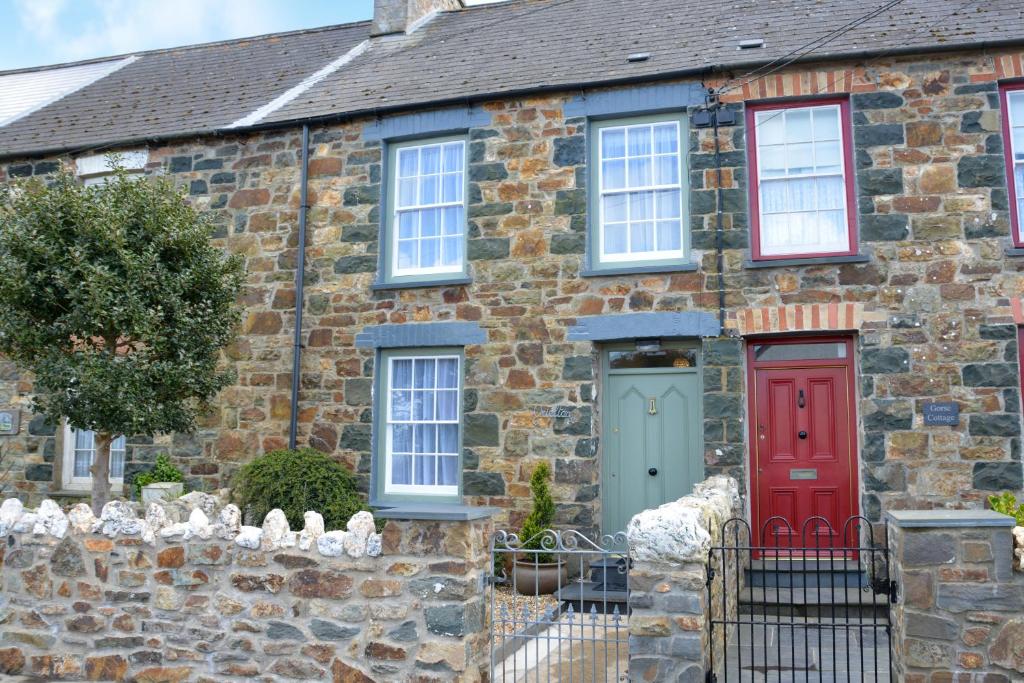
<point x="835" y="317"/>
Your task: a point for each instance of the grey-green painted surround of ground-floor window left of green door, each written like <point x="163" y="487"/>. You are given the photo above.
<point x="378" y="498"/>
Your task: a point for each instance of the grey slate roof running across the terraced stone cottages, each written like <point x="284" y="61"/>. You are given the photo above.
<point x="510" y="48"/>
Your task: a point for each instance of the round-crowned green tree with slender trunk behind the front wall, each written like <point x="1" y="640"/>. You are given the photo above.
<point x="114" y="298"/>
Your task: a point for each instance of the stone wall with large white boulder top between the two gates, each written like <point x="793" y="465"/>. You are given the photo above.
<point x="669" y="546"/>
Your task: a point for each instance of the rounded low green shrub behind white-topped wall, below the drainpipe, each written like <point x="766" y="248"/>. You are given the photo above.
<point x="297" y="482"/>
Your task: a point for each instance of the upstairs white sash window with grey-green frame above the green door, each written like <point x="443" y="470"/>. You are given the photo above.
<point x="638" y="203"/>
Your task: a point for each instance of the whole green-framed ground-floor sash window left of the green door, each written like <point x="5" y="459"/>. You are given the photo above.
<point x="418" y="402"/>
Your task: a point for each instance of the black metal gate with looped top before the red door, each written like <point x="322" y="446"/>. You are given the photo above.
<point x="813" y="606"/>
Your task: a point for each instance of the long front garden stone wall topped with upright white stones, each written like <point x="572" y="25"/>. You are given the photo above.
<point x="186" y="593"/>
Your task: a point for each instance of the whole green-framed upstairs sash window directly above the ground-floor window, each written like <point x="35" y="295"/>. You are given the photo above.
<point x="425" y="214"/>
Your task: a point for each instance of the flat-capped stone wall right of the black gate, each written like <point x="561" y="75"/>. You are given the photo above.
<point x="959" y="615"/>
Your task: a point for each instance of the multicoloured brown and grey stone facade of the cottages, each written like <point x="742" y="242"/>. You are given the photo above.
<point x="932" y="302"/>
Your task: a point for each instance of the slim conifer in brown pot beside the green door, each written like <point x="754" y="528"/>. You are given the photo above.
<point x="537" y="571"/>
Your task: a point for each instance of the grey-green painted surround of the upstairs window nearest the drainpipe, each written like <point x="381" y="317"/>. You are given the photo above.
<point x="386" y="278"/>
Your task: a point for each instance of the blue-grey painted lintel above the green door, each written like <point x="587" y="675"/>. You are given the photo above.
<point x="639" y="326"/>
